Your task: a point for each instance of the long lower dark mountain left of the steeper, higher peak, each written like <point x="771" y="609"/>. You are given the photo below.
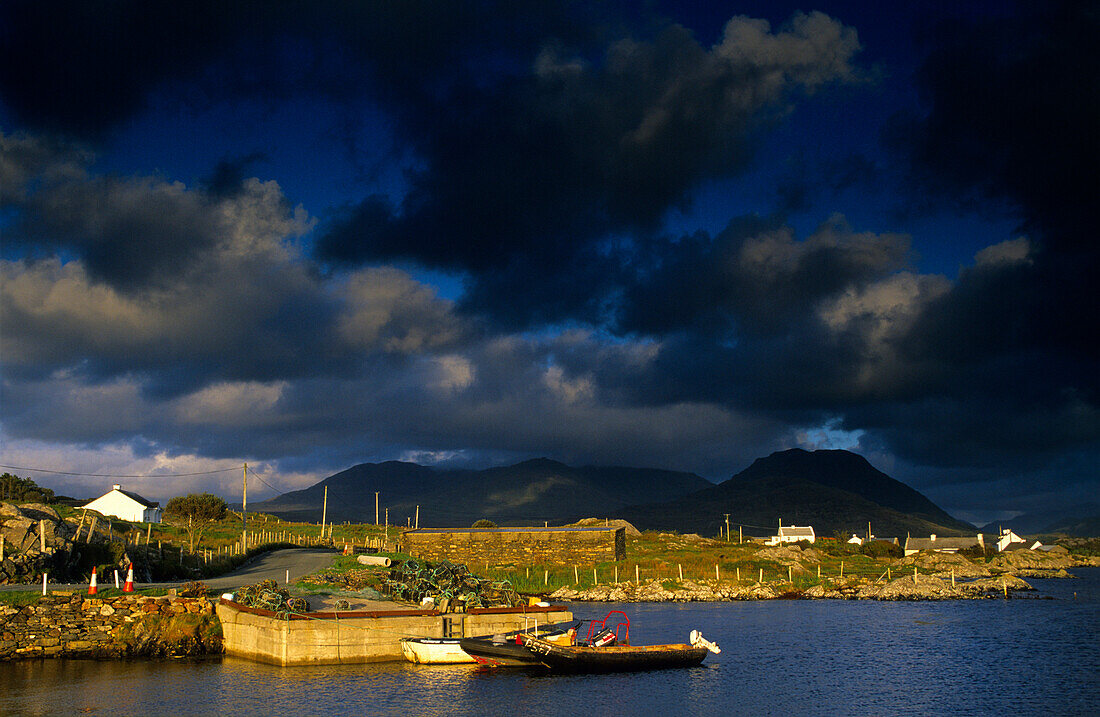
<point x="526" y="494"/>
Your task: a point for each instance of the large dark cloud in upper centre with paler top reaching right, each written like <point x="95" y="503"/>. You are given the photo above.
<point x="532" y="181"/>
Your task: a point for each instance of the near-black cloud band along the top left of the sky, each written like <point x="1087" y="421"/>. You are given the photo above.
<point x="83" y="68"/>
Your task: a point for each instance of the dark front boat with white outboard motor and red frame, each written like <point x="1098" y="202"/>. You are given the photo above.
<point x="608" y="649"/>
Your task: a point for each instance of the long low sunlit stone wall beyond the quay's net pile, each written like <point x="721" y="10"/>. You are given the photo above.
<point x="520" y="546"/>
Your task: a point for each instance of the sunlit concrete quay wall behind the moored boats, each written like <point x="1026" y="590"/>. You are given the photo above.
<point x="356" y="638"/>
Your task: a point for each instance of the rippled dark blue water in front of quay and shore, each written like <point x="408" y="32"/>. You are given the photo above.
<point x="779" y="658"/>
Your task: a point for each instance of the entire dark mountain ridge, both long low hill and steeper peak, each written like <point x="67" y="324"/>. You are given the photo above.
<point x="833" y="491"/>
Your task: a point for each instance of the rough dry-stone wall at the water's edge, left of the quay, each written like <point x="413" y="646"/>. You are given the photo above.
<point x="81" y="626"/>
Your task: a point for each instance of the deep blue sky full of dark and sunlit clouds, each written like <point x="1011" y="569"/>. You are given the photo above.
<point x="684" y="236"/>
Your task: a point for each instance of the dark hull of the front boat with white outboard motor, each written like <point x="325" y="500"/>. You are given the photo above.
<point x="619" y="658"/>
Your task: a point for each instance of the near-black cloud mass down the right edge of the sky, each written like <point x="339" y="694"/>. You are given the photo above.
<point x="1007" y="357"/>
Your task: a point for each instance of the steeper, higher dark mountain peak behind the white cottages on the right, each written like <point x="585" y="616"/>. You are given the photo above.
<point x="832" y="491"/>
